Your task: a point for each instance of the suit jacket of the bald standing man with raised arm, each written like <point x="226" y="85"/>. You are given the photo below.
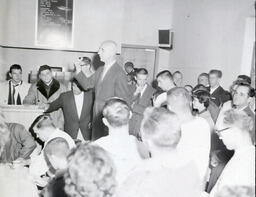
<point x="114" y="84"/>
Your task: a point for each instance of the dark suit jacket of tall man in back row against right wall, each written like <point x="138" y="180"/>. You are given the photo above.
<point x="220" y="96"/>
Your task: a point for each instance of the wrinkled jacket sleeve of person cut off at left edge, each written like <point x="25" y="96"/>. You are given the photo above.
<point x="26" y="140"/>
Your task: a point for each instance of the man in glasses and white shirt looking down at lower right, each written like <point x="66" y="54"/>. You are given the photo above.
<point x="235" y="133"/>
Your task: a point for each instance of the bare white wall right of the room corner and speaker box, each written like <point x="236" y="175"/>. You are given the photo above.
<point x="209" y="34"/>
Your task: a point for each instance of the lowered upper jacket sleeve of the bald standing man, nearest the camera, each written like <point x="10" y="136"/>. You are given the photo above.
<point x="122" y="89"/>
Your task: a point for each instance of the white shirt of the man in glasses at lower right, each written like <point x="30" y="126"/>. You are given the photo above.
<point x="239" y="171"/>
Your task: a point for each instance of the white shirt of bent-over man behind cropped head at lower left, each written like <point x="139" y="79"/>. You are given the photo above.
<point x="38" y="164"/>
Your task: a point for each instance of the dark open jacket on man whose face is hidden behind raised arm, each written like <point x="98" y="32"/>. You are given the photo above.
<point x="72" y="123"/>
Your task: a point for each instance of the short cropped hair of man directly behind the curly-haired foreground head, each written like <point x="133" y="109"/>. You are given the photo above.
<point x="57" y="146"/>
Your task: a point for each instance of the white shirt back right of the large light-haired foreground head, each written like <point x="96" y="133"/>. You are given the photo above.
<point x="195" y="144"/>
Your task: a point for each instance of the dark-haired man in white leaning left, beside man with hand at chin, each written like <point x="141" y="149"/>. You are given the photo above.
<point x="166" y="83"/>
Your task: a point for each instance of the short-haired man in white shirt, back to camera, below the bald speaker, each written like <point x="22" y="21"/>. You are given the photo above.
<point x="121" y="146"/>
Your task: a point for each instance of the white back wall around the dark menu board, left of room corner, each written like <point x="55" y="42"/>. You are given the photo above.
<point x="129" y="22"/>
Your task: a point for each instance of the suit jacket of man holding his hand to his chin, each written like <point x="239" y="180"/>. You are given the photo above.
<point x="138" y="110"/>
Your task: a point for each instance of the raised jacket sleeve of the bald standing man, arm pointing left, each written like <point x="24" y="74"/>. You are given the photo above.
<point x="86" y="82"/>
